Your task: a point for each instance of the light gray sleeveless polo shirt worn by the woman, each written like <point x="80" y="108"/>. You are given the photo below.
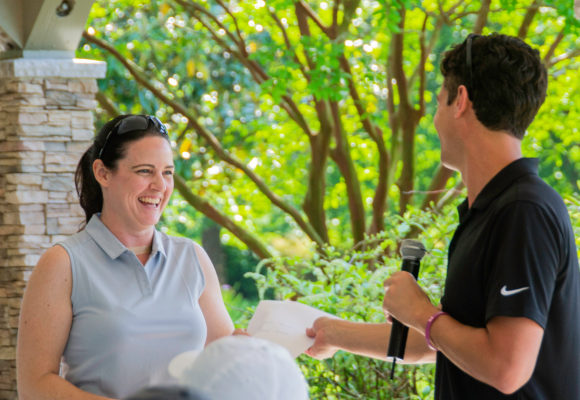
<point x="130" y="320"/>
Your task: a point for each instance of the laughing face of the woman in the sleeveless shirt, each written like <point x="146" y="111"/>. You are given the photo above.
<point x="137" y="192"/>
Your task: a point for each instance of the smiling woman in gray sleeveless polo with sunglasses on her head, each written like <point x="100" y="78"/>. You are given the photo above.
<point x="119" y="299"/>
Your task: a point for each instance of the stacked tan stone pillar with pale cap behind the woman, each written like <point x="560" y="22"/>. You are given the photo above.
<point x="47" y="123"/>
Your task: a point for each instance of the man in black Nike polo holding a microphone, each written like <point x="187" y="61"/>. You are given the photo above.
<point x="509" y="323"/>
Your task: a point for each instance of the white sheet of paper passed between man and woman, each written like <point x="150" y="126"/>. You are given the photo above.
<point x="285" y="323"/>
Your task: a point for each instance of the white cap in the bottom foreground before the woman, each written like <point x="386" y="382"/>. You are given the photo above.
<point x="245" y="368"/>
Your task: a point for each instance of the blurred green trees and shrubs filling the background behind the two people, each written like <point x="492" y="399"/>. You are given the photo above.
<point x="304" y="140"/>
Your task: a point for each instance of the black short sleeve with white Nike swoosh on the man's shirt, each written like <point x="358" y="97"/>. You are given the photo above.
<point x="524" y="261"/>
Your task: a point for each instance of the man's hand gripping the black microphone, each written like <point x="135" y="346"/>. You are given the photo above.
<point x="406" y="302"/>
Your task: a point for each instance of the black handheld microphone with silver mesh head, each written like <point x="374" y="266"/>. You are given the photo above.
<point x="412" y="252"/>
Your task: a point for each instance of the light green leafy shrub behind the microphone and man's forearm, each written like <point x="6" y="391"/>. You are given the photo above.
<point x="349" y="284"/>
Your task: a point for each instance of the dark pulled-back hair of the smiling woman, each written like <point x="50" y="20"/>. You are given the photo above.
<point x="110" y="145"/>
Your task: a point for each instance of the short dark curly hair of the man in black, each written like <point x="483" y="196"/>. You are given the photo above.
<point x="505" y="80"/>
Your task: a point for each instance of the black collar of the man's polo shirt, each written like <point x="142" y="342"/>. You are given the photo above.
<point x="499" y="183"/>
